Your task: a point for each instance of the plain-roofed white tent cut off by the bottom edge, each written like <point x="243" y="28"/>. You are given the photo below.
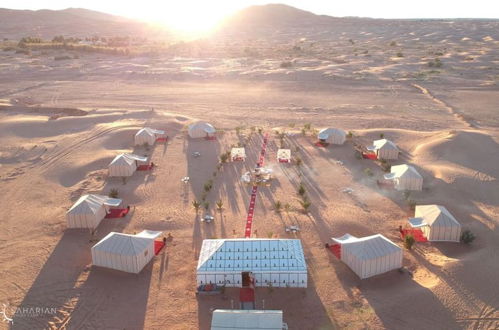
<point x="224" y="319"/>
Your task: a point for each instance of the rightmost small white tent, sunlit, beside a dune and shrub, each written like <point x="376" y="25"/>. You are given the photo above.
<point x="436" y="223"/>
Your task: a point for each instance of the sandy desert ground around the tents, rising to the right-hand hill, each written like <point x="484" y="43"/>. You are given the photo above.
<point x="431" y="86"/>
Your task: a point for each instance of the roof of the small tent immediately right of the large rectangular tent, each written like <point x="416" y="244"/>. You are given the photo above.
<point x="370" y="247"/>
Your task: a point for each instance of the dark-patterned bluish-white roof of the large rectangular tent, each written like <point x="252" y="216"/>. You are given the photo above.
<point x="278" y="251"/>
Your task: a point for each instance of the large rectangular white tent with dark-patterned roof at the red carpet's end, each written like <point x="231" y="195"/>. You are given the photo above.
<point x="276" y="262"/>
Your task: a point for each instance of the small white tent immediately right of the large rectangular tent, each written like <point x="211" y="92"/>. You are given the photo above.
<point x="369" y="256"/>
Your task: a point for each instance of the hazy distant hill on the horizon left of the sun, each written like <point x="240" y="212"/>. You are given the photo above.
<point x="72" y="22"/>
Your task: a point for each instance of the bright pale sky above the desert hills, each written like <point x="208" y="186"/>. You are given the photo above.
<point x="204" y="14"/>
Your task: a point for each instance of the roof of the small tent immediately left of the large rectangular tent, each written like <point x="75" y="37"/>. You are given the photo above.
<point x="123" y="244"/>
